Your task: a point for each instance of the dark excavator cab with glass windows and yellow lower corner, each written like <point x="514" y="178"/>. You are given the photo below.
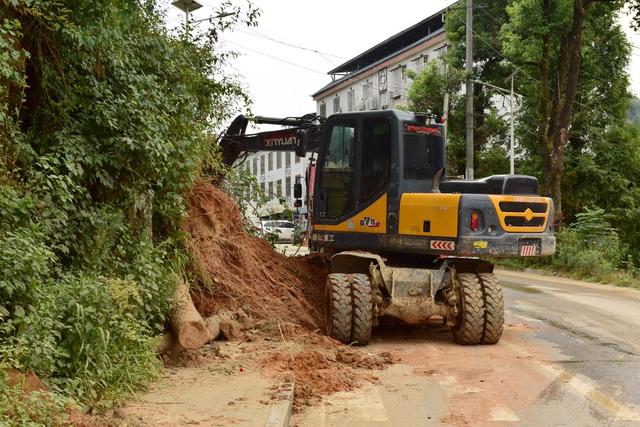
<point x="367" y="160"/>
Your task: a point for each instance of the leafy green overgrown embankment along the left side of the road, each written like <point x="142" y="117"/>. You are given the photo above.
<point x="106" y="120"/>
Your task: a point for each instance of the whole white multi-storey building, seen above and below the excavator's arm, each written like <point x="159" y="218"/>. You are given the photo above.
<point x="375" y="79"/>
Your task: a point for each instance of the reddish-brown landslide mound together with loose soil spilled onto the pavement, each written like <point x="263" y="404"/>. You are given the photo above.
<point x="270" y="307"/>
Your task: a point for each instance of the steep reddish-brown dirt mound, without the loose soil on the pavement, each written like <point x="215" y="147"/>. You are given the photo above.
<point x="239" y="271"/>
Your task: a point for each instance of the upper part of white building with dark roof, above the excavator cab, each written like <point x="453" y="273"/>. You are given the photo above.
<point x="377" y="79"/>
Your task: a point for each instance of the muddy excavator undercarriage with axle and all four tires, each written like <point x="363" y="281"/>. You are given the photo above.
<point x="363" y="287"/>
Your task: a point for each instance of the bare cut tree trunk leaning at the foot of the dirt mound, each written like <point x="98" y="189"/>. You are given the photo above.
<point x="188" y="325"/>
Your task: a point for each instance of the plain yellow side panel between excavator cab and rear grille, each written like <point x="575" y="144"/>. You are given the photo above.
<point x="440" y="209"/>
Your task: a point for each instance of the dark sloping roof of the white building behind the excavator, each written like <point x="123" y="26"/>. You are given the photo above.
<point x="394" y="45"/>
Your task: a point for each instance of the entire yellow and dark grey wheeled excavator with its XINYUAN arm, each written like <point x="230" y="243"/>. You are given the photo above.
<point x="404" y="240"/>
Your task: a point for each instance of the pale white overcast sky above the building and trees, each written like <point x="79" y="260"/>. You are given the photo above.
<point x="280" y="78"/>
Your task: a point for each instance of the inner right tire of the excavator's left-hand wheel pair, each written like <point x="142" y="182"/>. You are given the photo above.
<point x="362" y="300"/>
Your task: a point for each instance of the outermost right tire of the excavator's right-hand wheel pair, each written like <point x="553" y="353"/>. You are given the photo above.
<point x="493" y="308"/>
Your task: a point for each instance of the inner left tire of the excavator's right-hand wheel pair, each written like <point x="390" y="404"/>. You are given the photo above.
<point x="470" y="325"/>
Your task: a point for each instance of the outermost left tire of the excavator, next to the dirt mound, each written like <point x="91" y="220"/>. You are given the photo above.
<point x="338" y="307"/>
